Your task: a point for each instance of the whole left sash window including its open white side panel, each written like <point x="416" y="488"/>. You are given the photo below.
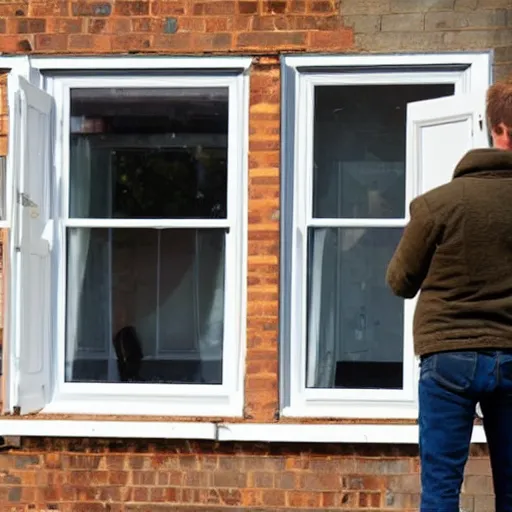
<point x="130" y="252"/>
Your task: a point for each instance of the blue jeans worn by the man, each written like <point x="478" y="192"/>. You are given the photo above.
<point x="451" y="384"/>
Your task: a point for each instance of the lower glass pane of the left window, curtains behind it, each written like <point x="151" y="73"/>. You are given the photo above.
<point x="145" y="305"/>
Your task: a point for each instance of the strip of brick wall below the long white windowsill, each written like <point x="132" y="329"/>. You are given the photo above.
<point x="89" y="476"/>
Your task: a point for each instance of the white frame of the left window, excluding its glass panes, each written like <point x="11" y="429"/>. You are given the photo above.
<point x="146" y="72"/>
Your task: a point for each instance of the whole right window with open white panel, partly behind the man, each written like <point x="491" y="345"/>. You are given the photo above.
<point x="363" y="136"/>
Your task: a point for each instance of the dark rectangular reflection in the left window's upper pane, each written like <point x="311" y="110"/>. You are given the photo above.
<point x="170" y="183"/>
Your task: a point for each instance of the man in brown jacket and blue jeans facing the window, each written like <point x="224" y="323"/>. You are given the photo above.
<point x="457" y="251"/>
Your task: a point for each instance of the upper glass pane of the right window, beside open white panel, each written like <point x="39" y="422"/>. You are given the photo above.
<point x="359" y="148"/>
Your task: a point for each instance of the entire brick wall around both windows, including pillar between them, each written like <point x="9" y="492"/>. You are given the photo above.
<point x="109" y="475"/>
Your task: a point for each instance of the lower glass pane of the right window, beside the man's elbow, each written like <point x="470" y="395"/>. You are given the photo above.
<point x="355" y="325"/>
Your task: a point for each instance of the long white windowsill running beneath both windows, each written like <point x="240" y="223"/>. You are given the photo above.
<point x="261" y="432"/>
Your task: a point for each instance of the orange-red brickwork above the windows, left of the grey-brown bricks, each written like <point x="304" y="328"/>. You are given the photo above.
<point x="177" y="26"/>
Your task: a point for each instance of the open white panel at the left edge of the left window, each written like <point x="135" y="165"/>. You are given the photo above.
<point x="29" y="322"/>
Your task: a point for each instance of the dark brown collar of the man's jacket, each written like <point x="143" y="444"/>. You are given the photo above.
<point x="485" y="163"/>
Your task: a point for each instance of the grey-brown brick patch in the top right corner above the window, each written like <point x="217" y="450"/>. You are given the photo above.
<point x="433" y="25"/>
